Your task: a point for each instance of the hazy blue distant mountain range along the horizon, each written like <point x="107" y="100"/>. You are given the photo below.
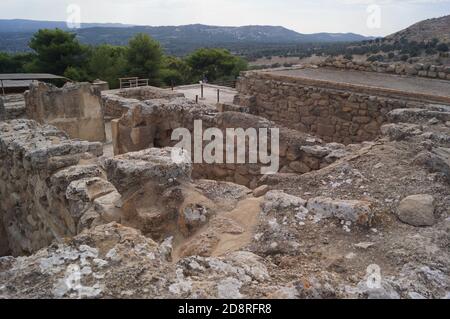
<point x="178" y="40"/>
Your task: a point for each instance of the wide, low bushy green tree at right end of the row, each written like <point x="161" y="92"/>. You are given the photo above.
<point x="215" y="64"/>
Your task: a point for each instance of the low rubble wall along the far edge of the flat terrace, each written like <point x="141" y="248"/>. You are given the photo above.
<point x="426" y="70"/>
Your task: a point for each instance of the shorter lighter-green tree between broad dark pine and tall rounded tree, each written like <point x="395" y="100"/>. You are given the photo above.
<point x="108" y="63"/>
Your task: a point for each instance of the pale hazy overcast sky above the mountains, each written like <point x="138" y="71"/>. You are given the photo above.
<point x="305" y="16"/>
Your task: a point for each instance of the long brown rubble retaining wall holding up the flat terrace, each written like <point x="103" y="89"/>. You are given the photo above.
<point x="328" y="111"/>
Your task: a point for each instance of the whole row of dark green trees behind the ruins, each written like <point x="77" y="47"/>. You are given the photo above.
<point x="61" y="53"/>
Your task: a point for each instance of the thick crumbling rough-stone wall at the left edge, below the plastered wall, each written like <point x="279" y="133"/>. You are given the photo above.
<point x="50" y="186"/>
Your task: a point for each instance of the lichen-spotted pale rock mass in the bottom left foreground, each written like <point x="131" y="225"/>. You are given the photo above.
<point x="112" y="261"/>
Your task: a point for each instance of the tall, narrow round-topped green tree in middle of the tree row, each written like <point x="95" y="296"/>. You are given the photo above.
<point x="144" y="57"/>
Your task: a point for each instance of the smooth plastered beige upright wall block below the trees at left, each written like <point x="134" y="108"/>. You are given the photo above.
<point x="76" y="109"/>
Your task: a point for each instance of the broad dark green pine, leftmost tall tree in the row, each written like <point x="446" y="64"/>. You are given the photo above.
<point x="56" y="51"/>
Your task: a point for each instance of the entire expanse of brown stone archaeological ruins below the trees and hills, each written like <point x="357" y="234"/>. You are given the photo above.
<point x="88" y="186"/>
